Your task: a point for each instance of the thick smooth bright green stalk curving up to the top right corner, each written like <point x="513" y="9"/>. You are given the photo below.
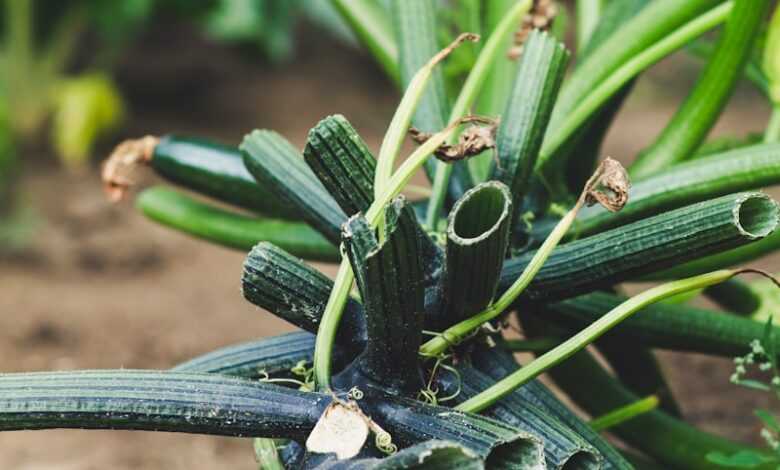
<point x="697" y="115"/>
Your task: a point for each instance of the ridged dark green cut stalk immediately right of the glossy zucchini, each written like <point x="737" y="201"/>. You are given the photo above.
<point x="275" y="163"/>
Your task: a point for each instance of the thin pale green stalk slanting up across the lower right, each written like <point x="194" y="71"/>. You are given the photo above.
<point x="588" y="335"/>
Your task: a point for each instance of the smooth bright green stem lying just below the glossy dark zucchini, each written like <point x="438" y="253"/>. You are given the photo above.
<point x="181" y="212"/>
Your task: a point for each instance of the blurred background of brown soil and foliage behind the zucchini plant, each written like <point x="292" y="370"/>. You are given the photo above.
<point x="88" y="284"/>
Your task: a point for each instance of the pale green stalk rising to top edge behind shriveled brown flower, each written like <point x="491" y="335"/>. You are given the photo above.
<point x="468" y="95"/>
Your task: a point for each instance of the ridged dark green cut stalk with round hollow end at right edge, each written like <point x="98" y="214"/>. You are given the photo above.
<point x="648" y="245"/>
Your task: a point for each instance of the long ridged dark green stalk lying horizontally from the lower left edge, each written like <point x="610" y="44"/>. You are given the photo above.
<point x="156" y="401"/>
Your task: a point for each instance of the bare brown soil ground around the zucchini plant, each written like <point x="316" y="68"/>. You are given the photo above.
<point x="104" y="288"/>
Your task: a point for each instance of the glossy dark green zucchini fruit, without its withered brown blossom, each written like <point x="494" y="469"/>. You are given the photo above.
<point x="217" y="171"/>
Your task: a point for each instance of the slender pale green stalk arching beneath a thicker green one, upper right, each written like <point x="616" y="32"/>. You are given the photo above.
<point x="607" y="88"/>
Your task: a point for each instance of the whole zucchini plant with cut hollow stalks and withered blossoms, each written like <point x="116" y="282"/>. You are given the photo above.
<point x="411" y="369"/>
